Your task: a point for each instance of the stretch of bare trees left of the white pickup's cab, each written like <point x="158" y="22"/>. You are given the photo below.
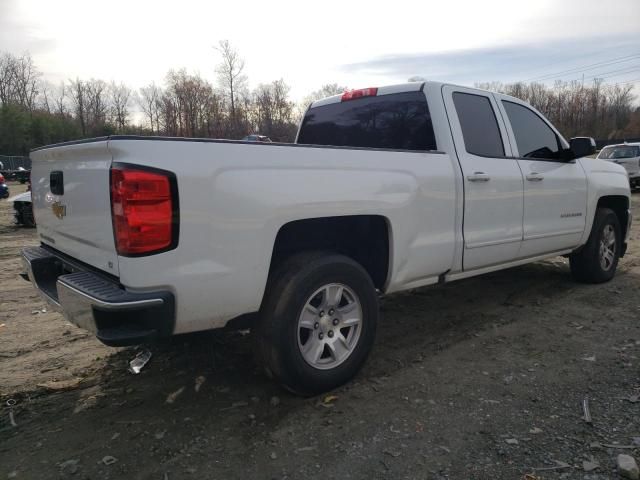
<point x="34" y="112"/>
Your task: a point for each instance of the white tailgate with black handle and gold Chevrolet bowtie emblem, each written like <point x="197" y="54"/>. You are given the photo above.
<point x="75" y="219"/>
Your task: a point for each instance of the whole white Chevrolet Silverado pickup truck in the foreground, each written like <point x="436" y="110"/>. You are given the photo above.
<point x="386" y="189"/>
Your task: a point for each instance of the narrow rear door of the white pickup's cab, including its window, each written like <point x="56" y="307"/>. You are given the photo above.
<point x="493" y="182"/>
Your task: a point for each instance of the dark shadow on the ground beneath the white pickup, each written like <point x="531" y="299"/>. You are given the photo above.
<point x="413" y="324"/>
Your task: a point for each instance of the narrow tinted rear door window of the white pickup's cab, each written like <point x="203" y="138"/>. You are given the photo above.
<point x="479" y="125"/>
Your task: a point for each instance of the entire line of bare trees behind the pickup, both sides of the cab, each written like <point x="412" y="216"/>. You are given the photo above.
<point x="35" y="112"/>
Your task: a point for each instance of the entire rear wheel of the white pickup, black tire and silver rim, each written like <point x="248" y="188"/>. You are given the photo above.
<point x="318" y="322"/>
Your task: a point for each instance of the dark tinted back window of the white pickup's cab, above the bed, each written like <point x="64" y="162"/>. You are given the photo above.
<point x="400" y="121"/>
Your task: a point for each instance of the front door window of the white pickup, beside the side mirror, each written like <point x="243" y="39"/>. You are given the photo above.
<point x="534" y="137"/>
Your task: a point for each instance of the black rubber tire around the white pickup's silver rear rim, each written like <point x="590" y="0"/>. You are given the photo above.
<point x="277" y="333"/>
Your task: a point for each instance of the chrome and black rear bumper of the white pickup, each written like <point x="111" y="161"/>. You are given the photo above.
<point x="99" y="303"/>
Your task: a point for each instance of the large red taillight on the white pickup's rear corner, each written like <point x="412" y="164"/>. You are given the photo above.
<point x="142" y="210"/>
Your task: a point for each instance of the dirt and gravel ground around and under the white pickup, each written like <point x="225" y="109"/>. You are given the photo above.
<point x="478" y="379"/>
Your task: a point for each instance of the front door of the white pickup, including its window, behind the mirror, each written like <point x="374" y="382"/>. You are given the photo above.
<point x="555" y="190"/>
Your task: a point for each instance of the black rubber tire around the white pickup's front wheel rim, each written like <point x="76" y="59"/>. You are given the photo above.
<point x="586" y="263"/>
